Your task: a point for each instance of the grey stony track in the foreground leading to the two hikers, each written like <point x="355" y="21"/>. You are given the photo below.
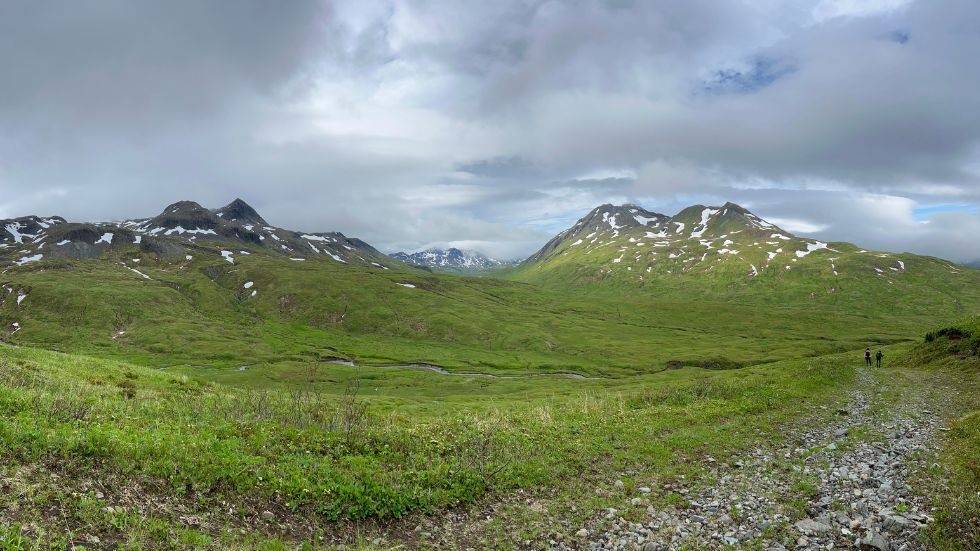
<point x="842" y="485"/>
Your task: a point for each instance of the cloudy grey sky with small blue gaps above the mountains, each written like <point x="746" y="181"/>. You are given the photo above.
<point x="491" y="126"/>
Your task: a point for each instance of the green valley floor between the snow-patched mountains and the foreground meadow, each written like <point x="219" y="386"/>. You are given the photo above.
<point x="198" y="314"/>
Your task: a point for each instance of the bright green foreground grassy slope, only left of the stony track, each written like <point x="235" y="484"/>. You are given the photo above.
<point x="313" y="454"/>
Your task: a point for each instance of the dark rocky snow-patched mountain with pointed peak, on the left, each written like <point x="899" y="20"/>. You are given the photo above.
<point x="181" y="230"/>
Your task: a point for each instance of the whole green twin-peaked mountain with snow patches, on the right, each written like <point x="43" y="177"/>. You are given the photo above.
<point x="727" y="251"/>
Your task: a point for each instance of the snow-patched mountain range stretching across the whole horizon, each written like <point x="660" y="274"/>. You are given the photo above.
<point x="627" y="244"/>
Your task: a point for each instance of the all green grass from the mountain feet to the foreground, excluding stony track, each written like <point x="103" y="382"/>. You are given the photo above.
<point x="198" y="407"/>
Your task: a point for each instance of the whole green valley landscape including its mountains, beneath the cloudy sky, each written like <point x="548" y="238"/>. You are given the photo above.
<point x="205" y="379"/>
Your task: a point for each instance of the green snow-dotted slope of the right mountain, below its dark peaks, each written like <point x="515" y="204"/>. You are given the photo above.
<point x="870" y="283"/>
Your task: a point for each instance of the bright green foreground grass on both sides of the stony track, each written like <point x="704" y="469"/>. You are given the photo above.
<point x="140" y="458"/>
